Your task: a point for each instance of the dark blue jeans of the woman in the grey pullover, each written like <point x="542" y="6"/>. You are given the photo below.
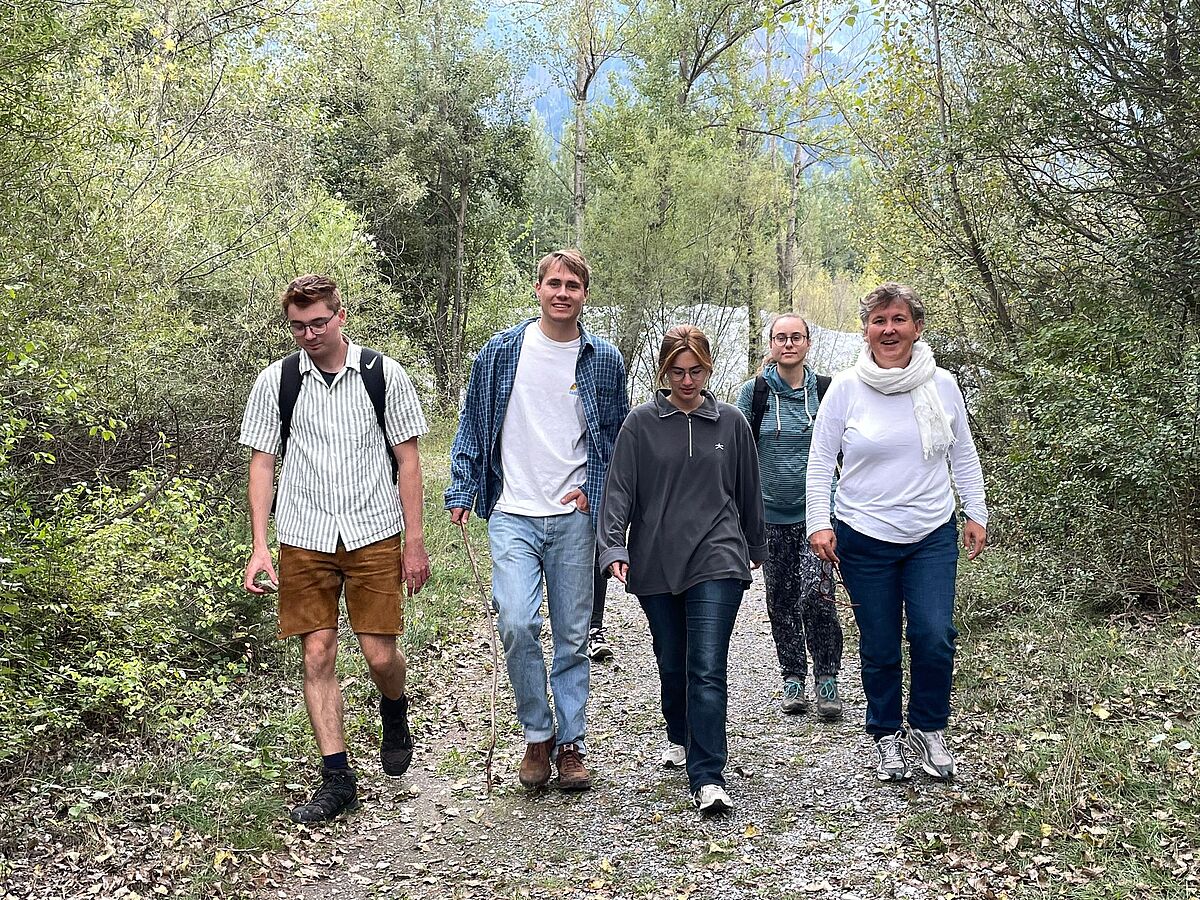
<point x="692" y="644"/>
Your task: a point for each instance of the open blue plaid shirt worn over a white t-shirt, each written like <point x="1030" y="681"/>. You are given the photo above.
<point x="476" y="477"/>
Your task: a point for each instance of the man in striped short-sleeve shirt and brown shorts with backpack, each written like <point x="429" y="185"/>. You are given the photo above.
<point x="340" y="517"/>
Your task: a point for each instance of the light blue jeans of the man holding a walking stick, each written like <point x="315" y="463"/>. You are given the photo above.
<point x="561" y="550"/>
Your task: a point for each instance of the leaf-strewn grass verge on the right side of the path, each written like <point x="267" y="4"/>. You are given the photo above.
<point x="1082" y="731"/>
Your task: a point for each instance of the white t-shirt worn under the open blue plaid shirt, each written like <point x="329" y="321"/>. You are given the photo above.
<point x="544" y="441"/>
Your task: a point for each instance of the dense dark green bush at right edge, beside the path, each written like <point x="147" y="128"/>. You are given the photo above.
<point x="1102" y="463"/>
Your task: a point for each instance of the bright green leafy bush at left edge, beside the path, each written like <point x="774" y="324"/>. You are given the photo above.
<point x="112" y="621"/>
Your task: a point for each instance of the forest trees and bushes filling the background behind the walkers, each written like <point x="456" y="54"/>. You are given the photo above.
<point x="169" y="167"/>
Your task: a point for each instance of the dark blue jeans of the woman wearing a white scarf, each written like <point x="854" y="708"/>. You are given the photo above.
<point x="916" y="583"/>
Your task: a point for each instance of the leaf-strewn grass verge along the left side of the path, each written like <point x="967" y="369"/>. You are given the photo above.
<point x="221" y="778"/>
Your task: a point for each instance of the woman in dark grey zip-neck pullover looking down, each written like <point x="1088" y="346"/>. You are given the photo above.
<point x="685" y="483"/>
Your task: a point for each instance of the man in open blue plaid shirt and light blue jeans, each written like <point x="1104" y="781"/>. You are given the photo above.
<point x="557" y="397"/>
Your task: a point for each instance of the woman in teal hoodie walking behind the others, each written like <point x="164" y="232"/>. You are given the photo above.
<point x="800" y="587"/>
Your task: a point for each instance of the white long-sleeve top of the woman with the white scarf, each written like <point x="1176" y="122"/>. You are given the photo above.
<point x="887" y="490"/>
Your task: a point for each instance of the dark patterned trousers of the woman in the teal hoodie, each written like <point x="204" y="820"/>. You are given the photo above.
<point x="801" y="605"/>
